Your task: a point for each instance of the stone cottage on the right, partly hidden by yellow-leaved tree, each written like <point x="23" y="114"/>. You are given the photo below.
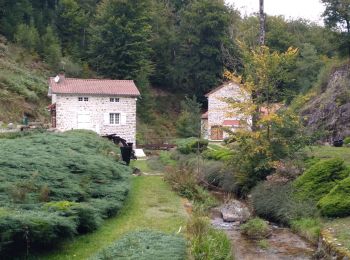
<point x="219" y="115"/>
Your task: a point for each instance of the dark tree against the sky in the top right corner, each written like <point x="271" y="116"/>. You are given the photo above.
<point x="337" y="16"/>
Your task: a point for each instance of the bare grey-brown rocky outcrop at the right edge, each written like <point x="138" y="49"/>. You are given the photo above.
<point x="330" y="110"/>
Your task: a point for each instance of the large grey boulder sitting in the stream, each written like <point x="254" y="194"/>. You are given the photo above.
<point x="235" y="211"/>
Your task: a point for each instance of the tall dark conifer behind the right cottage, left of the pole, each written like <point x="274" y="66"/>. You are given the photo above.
<point x="205" y="39"/>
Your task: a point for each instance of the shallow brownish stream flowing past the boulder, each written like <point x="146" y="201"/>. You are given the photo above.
<point x="281" y="244"/>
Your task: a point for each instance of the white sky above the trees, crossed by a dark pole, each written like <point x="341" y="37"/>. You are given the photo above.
<point x="308" y="9"/>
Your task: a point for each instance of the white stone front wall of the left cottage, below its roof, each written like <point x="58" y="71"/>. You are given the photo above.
<point x="98" y="108"/>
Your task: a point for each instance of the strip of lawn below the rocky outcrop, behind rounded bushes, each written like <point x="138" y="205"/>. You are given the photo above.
<point x="327" y="152"/>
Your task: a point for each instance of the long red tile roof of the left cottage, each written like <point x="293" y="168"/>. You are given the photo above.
<point x="94" y="86"/>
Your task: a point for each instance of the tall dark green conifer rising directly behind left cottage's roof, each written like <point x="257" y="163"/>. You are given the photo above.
<point x="120" y="36"/>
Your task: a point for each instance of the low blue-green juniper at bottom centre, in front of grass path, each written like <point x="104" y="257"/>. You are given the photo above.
<point x="145" y="245"/>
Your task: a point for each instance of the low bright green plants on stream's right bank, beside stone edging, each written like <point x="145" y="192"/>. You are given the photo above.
<point x="310" y="228"/>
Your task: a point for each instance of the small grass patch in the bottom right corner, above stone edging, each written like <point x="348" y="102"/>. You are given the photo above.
<point x="340" y="230"/>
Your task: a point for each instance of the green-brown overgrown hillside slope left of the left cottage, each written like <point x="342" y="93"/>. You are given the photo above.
<point x="23" y="84"/>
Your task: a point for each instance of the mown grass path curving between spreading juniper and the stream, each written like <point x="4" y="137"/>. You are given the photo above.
<point x="151" y="204"/>
